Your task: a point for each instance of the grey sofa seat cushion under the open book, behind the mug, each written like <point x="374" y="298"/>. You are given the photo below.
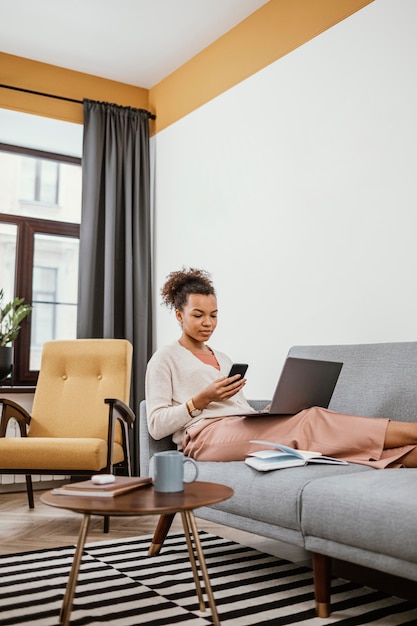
<point x="270" y="497"/>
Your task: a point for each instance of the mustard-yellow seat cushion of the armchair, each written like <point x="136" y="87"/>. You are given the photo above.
<point x="46" y="453"/>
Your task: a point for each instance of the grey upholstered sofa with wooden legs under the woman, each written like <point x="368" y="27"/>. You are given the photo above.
<point x="353" y="513"/>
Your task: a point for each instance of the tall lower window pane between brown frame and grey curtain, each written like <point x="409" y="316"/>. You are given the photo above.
<point x="55" y="290"/>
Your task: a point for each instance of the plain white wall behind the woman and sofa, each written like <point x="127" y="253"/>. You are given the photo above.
<point x="297" y="191"/>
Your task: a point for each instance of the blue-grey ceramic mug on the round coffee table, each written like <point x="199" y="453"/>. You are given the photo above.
<point x="169" y="471"/>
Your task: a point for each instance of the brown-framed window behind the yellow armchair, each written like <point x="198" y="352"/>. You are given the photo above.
<point x="40" y="212"/>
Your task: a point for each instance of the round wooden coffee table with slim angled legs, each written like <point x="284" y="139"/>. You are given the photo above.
<point x="145" y="501"/>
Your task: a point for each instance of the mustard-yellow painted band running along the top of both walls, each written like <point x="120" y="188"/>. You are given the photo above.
<point x="273" y="31"/>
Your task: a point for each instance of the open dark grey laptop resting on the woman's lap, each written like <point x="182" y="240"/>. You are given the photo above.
<point x="303" y="383"/>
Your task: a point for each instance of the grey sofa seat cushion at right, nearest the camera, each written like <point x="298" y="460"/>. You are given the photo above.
<point x="371" y="513"/>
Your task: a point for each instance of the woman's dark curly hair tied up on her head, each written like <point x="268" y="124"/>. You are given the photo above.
<point x="179" y="285"/>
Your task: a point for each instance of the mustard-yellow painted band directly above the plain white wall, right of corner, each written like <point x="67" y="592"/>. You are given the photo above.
<point x="268" y="34"/>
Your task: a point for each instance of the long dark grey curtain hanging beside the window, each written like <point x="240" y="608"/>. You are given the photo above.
<point x="114" y="298"/>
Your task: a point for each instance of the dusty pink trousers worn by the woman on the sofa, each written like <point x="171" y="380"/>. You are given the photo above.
<point x="350" y="437"/>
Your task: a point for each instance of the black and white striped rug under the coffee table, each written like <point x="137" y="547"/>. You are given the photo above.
<point x="119" y="584"/>
